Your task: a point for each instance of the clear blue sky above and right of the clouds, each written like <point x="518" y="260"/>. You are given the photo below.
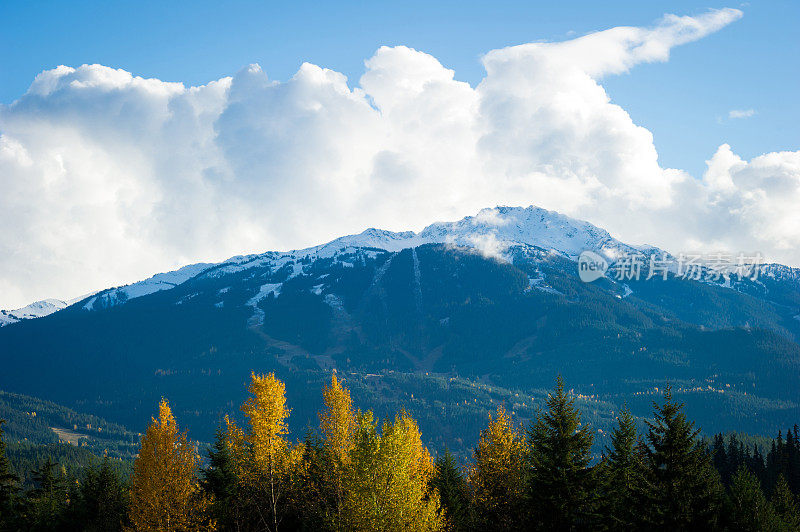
<point x="751" y="64"/>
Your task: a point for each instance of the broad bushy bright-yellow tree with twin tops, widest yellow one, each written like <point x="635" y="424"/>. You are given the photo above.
<point x="390" y="477"/>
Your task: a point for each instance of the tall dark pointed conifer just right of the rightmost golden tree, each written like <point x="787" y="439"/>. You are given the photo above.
<point x="562" y="485"/>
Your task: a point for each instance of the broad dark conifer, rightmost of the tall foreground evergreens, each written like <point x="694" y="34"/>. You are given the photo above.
<point x="683" y="489"/>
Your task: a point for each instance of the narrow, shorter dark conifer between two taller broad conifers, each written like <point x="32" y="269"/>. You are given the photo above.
<point x="622" y="476"/>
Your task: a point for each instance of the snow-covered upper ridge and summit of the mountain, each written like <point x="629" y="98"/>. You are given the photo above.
<point x="492" y="232"/>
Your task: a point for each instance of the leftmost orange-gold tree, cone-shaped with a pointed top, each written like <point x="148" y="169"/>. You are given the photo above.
<point x="165" y="492"/>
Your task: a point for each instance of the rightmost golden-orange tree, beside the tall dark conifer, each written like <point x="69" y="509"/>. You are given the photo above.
<point x="497" y="475"/>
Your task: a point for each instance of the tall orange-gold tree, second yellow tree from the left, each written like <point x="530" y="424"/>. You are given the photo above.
<point x="272" y="458"/>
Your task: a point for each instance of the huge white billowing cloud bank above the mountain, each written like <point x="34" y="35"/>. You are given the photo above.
<point x="107" y="178"/>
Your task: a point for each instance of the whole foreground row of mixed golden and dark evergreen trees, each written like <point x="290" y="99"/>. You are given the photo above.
<point x="356" y="473"/>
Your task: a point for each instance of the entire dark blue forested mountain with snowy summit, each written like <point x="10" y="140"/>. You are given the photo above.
<point x="446" y="323"/>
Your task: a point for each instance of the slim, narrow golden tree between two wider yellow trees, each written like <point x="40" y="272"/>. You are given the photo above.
<point x="338" y="425"/>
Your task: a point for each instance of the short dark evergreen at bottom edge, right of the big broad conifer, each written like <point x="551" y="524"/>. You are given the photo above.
<point x="747" y="509"/>
